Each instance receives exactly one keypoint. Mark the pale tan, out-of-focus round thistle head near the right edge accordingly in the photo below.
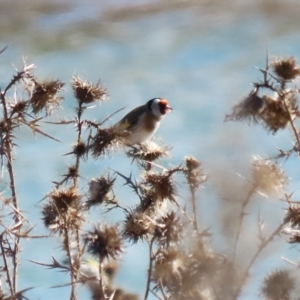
(268, 177)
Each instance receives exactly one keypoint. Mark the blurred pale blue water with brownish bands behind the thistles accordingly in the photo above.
(200, 55)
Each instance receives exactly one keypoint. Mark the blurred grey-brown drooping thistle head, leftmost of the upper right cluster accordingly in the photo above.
(248, 109)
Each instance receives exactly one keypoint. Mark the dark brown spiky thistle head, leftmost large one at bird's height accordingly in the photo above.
(45, 96)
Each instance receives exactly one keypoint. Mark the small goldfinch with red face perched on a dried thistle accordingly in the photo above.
(143, 121)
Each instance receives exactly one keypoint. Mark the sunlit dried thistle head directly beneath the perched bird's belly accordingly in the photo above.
(148, 151)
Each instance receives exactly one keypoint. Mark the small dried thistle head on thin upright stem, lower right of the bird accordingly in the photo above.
(193, 172)
